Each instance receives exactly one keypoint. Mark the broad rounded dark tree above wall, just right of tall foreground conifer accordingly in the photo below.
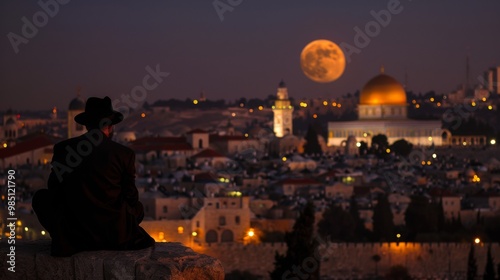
(336, 224)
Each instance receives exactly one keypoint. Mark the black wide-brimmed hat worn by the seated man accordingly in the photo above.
(99, 110)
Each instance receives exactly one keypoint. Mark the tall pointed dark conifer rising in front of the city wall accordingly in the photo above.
(301, 258)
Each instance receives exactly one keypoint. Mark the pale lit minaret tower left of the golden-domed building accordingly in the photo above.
(282, 110)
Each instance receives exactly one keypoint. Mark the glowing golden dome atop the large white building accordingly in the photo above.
(383, 90)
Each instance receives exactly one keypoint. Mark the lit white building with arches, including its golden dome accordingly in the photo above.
(382, 109)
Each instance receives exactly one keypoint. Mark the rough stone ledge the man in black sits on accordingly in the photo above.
(164, 261)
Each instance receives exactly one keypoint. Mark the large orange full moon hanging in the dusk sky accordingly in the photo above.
(322, 61)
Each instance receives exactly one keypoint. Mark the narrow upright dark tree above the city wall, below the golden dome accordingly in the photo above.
(383, 223)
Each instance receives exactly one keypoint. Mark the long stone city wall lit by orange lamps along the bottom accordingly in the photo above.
(354, 260)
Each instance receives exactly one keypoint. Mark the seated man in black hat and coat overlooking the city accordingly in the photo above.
(92, 202)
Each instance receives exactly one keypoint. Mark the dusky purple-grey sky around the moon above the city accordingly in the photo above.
(105, 47)
